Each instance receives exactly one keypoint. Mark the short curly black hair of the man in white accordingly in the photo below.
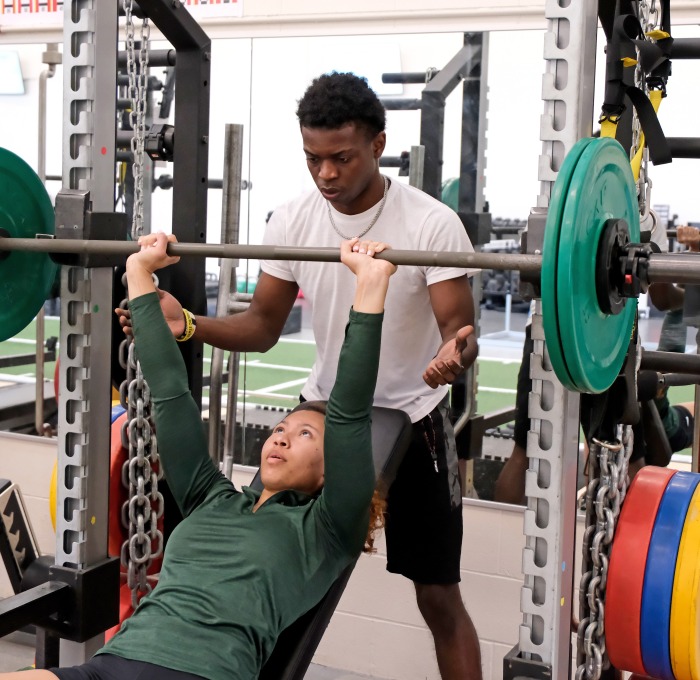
(337, 99)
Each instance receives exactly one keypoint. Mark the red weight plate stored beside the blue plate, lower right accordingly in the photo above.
(623, 600)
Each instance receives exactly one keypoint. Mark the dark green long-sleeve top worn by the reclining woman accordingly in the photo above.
(232, 579)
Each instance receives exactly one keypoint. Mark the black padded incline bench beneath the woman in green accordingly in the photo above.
(391, 435)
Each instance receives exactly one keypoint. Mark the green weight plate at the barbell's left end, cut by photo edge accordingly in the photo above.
(25, 278)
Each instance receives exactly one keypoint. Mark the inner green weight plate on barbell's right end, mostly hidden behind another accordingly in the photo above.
(550, 249)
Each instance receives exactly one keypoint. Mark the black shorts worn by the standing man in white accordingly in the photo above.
(424, 506)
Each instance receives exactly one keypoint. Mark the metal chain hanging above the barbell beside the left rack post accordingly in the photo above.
(138, 77)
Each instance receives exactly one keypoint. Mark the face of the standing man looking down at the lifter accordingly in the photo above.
(343, 162)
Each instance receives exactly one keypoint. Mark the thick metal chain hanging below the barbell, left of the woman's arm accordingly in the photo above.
(140, 475)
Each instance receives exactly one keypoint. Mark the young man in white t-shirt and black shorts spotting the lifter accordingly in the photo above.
(423, 349)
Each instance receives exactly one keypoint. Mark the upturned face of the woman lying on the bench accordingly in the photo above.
(292, 456)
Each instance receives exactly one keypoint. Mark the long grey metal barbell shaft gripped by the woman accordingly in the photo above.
(524, 263)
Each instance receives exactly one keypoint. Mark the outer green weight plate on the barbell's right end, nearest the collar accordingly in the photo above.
(595, 344)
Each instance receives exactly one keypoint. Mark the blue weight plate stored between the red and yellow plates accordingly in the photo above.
(660, 569)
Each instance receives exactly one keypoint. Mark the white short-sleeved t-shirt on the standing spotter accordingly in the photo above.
(411, 220)
